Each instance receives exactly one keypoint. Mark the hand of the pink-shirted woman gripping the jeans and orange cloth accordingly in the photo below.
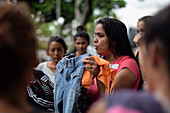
(93, 67)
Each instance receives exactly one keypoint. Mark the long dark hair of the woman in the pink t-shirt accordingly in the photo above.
(117, 34)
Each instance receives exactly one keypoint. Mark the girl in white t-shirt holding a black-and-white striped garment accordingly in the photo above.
(40, 90)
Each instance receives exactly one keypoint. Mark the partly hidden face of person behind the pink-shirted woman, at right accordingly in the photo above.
(140, 28)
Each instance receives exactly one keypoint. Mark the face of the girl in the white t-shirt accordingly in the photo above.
(56, 51)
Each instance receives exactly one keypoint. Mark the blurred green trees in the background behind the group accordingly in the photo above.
(74, 12)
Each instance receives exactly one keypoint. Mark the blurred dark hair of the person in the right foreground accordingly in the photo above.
(158, 32)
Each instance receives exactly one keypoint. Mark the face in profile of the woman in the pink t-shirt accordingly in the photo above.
(101, 41)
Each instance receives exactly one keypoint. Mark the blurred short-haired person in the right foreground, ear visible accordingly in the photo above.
(154, 58)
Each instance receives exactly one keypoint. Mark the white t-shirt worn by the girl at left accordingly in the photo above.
(43, 67)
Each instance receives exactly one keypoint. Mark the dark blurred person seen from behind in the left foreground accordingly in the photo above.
(18, 57)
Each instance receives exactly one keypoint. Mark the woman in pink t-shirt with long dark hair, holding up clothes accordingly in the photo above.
(111, 41)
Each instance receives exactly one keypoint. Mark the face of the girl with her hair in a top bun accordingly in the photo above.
(81, 45)
